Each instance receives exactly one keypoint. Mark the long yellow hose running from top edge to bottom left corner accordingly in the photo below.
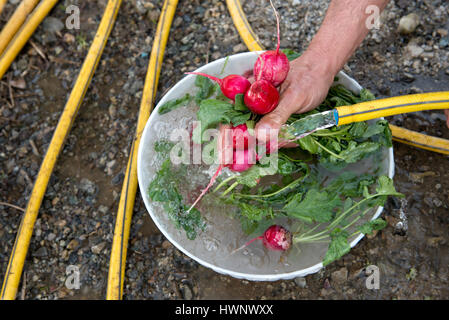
(20, 248)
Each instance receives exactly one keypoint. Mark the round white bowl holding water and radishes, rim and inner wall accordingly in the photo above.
(211, 248)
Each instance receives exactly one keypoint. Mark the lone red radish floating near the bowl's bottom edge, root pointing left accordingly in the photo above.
(275, 238)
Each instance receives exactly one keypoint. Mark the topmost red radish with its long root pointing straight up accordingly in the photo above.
(272, 65)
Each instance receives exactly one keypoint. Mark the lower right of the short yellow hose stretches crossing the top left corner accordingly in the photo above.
(24, 33)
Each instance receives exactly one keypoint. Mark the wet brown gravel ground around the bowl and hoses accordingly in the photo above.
(75, 224)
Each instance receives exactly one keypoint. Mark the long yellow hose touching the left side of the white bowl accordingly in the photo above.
(129, 188)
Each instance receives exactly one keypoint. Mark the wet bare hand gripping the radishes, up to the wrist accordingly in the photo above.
(305, 87)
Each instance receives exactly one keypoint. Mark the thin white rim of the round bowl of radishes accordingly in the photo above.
(345, 80)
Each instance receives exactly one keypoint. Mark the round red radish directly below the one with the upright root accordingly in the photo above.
(262, 97)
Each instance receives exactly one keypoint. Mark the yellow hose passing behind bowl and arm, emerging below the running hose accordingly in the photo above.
(399, 134)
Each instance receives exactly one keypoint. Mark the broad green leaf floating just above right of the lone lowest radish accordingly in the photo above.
(315, 207)
